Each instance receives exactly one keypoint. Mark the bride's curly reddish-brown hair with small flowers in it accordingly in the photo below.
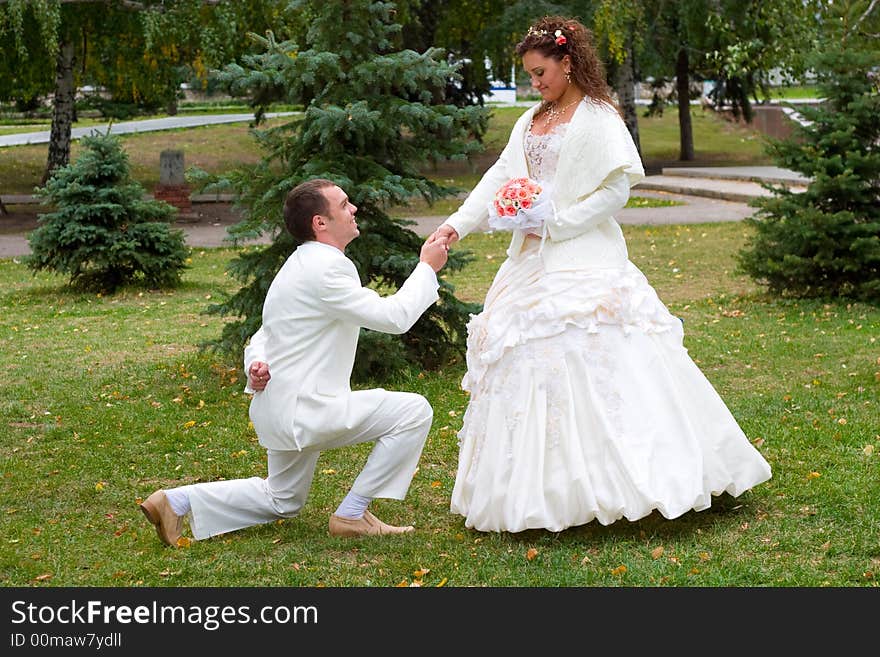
(587, 70)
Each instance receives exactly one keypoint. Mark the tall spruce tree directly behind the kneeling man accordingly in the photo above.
(374, 117)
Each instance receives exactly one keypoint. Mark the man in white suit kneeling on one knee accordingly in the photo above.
(312, 315)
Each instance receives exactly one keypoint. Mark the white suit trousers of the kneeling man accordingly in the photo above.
(399, 425)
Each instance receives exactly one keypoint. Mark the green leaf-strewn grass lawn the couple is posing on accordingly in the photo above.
(106, 398)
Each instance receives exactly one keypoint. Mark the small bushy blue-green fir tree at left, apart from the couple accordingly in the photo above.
(103, 233)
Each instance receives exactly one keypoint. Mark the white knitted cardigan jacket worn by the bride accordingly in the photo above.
(596, 150)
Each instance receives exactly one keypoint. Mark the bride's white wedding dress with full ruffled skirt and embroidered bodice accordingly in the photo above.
(584, 403)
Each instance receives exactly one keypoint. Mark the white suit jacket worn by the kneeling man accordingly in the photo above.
(313, 312)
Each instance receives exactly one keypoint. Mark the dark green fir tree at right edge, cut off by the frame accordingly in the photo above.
(825, 241)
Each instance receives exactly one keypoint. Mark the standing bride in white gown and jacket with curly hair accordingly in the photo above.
(584, 404)
